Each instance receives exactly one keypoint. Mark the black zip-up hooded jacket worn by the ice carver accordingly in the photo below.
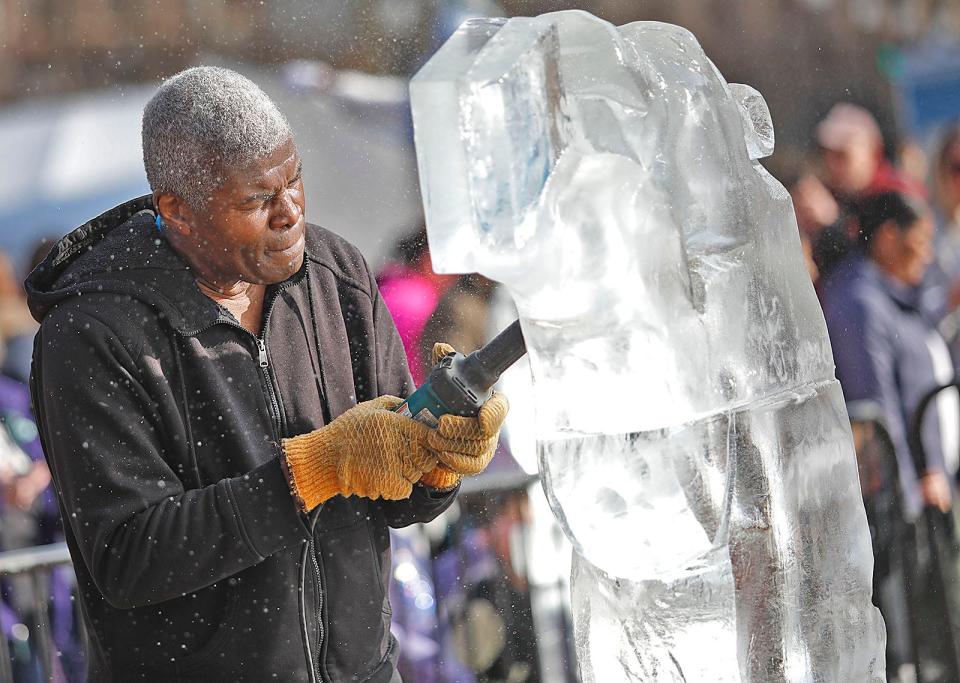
(161, 419)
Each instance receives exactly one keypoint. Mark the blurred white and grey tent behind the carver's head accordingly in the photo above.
(70, 158)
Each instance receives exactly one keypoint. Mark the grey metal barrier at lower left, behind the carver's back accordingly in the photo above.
(37, 562)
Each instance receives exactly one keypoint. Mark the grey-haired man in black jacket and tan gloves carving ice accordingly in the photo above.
(214, 381)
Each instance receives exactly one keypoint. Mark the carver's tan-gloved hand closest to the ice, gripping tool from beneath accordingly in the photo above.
(464, 445)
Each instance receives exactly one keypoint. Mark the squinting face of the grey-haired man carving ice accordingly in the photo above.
(252, 229)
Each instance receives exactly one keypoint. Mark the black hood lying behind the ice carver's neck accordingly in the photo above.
(121, 252)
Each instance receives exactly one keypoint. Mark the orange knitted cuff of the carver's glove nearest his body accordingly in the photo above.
(311, 474)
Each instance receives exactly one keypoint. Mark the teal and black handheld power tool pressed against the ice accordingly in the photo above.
(459, 385)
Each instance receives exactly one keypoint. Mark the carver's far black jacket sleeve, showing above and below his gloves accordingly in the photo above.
(393, 377)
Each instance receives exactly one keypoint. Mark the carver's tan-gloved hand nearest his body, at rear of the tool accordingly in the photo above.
(368, 451)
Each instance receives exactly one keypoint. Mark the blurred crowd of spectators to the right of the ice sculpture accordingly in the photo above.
(881, 235)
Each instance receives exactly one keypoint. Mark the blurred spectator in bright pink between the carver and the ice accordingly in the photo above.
(412, 291)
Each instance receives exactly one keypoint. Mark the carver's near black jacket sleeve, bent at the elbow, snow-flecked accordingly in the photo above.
(143, 538)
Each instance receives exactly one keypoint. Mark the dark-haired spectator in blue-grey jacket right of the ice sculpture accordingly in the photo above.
(886, 350)
